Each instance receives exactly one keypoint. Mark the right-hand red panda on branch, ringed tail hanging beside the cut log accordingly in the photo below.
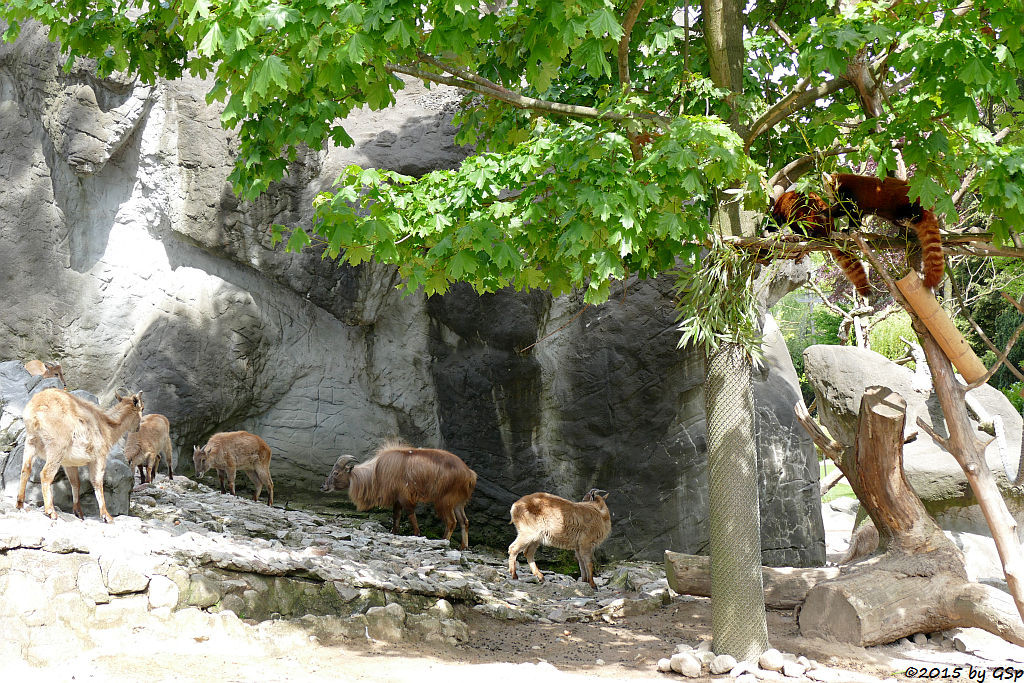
(857, 196)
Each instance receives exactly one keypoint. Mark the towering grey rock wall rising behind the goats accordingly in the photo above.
(129, 259)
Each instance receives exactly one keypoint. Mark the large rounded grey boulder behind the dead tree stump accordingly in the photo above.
(840, 375)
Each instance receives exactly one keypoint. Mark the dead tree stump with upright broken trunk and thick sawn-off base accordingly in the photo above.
(919, 582)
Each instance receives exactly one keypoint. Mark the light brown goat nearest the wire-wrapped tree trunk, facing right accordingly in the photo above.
(551, 521)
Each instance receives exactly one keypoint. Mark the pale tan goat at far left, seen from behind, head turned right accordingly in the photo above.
(70, 433)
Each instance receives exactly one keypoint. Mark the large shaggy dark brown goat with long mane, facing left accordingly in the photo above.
(400, 477)
